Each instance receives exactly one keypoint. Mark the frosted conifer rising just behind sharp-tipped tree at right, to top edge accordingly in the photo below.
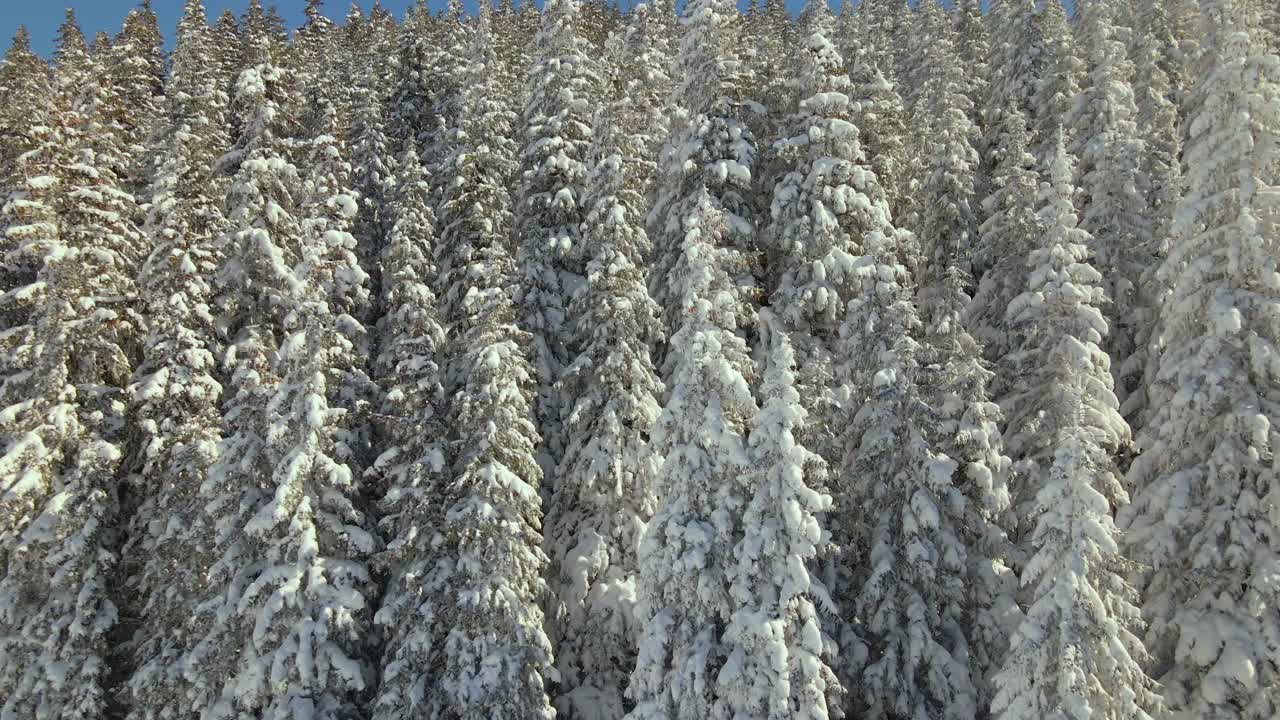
(1114, 192)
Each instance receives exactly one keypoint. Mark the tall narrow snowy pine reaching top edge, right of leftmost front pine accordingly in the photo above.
(175, 404)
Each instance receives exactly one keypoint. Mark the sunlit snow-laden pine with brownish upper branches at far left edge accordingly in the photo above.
(61, 454)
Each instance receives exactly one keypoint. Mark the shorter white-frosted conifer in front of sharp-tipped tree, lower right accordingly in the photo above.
(1077, 654)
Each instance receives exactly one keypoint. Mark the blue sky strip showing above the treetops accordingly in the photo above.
(43, 17)
